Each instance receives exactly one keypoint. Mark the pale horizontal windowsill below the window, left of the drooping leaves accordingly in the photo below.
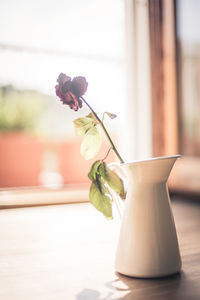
(32, 196)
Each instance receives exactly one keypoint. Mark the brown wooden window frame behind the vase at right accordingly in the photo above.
(185, 177)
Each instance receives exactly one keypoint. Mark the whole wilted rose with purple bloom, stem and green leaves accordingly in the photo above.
(70, 92)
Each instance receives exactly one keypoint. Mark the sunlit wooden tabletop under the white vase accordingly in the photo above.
(66, 252)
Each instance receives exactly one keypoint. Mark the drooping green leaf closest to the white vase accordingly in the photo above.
(112, 179)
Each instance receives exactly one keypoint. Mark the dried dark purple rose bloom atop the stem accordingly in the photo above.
(70, 91)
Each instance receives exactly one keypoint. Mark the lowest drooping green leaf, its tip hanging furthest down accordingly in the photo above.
(100, 200)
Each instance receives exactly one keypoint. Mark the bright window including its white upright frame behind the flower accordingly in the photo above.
(105, 41)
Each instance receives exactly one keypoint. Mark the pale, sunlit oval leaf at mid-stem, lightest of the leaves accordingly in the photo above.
(91, 143)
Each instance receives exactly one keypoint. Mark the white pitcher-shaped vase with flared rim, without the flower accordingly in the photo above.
(148, 245)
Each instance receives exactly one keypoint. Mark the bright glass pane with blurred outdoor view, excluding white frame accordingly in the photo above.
(39, 40)
